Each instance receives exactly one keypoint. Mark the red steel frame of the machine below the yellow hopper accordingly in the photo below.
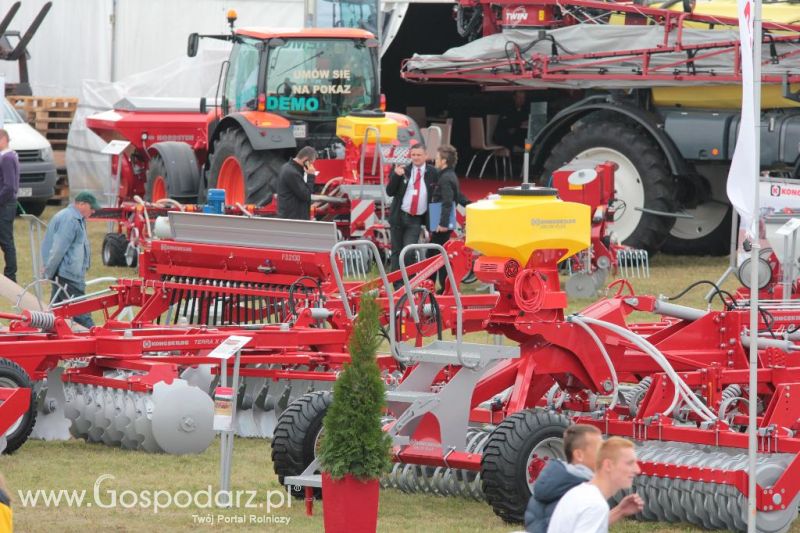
(707, 353)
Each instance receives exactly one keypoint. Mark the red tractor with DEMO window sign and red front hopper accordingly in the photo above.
(278, 91)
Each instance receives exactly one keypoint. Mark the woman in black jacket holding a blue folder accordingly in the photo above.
(446, 193)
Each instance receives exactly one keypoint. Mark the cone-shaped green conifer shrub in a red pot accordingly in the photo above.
(355, 451)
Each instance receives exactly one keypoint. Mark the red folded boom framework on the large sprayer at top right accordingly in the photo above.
(556, 68)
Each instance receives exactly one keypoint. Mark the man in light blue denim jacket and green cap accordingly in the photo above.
(66, 251)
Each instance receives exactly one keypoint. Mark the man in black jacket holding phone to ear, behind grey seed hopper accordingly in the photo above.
(296, 184)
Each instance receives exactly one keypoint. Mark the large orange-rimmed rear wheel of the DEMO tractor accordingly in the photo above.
(249, 176)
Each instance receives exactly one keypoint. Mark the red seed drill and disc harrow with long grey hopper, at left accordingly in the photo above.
(144, 379)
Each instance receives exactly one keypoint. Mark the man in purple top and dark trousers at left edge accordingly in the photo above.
(9, 185)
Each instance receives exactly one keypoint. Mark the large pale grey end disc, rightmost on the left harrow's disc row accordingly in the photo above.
(183, 418)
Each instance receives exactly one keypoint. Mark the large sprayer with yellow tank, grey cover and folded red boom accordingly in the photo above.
(653, 86)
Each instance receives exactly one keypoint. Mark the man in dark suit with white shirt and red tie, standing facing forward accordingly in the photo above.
(411, 188)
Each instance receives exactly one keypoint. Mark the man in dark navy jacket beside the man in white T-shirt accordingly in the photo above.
(581, 445)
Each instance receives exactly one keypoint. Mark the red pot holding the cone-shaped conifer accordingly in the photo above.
(349, 505)
